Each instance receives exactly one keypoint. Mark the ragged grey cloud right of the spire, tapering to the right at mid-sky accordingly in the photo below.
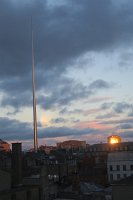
(67, 93)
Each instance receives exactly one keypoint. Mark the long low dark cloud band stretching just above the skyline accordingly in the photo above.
(16, 130)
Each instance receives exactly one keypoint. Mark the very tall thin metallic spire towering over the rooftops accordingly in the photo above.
(34, 96)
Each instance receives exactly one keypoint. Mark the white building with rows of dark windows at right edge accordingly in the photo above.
(119, 165)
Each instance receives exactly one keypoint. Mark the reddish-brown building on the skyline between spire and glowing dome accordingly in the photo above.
(72, 144)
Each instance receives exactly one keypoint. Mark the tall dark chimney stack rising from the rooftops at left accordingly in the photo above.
(16, 165)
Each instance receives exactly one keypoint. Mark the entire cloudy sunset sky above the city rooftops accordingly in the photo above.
(83, 70)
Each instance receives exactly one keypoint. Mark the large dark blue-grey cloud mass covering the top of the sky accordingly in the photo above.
(62, 33)
